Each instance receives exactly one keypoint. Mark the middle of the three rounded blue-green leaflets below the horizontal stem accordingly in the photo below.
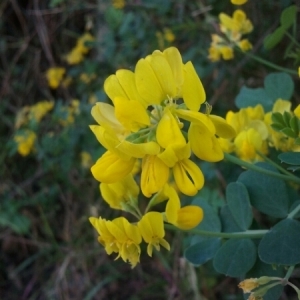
(235, 258)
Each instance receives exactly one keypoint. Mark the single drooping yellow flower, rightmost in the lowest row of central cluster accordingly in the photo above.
(151, 227)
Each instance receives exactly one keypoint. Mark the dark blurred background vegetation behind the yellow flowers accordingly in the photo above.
(48, 248)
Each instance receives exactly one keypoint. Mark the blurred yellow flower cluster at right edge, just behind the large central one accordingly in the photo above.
(255, 134)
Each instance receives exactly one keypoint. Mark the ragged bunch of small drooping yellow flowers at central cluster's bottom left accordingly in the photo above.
(119, 236)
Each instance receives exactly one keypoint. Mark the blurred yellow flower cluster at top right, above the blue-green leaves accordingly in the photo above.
(233, 29)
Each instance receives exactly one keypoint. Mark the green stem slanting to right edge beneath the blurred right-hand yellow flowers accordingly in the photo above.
(253, 167)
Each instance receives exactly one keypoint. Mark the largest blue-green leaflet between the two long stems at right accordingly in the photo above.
(268, 194)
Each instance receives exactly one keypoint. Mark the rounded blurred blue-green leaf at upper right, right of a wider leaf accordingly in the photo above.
(279, 85)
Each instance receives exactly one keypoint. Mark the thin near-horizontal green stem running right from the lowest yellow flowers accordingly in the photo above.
(250, 234)
